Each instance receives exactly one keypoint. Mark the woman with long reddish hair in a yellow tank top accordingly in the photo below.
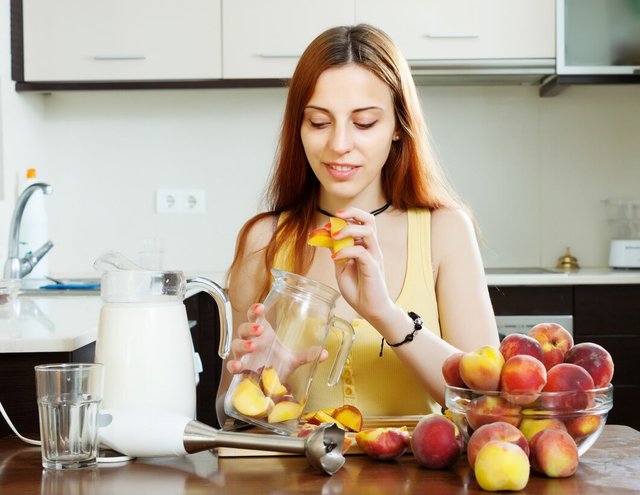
(354, 145)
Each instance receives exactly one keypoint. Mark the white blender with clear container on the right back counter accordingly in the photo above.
(624, 219)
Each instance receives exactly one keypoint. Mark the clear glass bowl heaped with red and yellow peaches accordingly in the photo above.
(563, 388)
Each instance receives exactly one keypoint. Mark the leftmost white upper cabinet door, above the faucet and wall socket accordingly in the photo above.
(92, 40)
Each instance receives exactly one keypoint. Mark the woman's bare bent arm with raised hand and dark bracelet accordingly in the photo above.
(466, 316)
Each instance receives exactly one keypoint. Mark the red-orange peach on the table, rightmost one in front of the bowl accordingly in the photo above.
(554, 453)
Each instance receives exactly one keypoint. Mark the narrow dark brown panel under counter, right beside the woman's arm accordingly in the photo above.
(532, 300)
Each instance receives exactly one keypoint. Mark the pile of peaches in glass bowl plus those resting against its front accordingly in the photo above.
(527, 403)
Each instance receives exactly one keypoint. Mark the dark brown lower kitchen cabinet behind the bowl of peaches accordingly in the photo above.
(607, 314)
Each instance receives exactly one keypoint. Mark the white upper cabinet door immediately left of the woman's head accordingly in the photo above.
(265, 38)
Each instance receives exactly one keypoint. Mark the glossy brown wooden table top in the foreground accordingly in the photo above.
(611, 466)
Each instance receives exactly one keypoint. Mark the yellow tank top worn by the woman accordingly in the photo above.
(383, 386)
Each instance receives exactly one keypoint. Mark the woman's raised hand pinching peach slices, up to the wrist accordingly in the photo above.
(360, 275)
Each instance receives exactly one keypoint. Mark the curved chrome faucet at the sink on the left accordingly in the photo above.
(16, 267)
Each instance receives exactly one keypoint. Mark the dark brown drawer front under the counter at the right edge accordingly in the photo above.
(607, 310)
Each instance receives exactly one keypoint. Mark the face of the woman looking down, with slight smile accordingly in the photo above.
(347, 131)
